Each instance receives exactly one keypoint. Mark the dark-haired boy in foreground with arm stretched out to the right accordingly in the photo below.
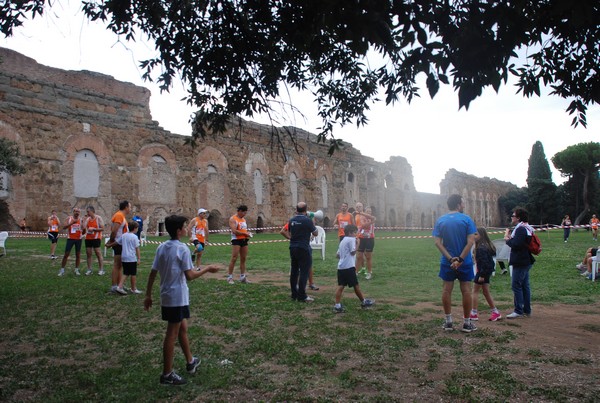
(173, 263)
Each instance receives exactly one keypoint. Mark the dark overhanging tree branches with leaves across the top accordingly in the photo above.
(242, 56)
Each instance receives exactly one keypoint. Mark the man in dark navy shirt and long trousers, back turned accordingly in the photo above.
(300, 227)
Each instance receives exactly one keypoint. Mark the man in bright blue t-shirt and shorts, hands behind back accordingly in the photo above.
(454, 235)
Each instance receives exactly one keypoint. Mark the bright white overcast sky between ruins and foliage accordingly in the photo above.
(492, 139)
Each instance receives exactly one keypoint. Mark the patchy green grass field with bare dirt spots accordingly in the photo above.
(65, 339)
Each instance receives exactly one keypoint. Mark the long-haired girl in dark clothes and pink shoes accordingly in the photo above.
(484, 257)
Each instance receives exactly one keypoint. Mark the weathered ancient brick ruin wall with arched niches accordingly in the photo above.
(70, 123)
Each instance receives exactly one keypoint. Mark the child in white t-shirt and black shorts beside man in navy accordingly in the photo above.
(346, 272)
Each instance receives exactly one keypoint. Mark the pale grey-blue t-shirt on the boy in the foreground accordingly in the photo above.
(172, 260)
